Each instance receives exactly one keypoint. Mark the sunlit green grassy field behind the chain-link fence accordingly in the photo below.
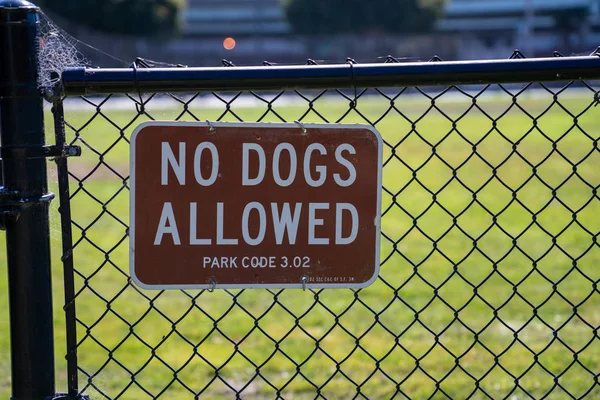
(489, 274)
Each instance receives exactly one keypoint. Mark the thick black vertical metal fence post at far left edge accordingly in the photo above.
(26, 192)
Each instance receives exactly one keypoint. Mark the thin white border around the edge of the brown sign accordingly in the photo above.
(216, 125)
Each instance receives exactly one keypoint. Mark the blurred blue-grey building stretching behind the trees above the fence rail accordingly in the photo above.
(468, 29)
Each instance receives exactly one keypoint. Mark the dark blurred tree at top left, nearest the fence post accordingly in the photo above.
(128, 17)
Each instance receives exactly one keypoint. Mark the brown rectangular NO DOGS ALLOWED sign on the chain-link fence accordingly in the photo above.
(248, 205)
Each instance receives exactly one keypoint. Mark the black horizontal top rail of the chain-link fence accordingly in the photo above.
(85, 81)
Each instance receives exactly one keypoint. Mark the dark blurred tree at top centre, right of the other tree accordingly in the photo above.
(318, 17)
